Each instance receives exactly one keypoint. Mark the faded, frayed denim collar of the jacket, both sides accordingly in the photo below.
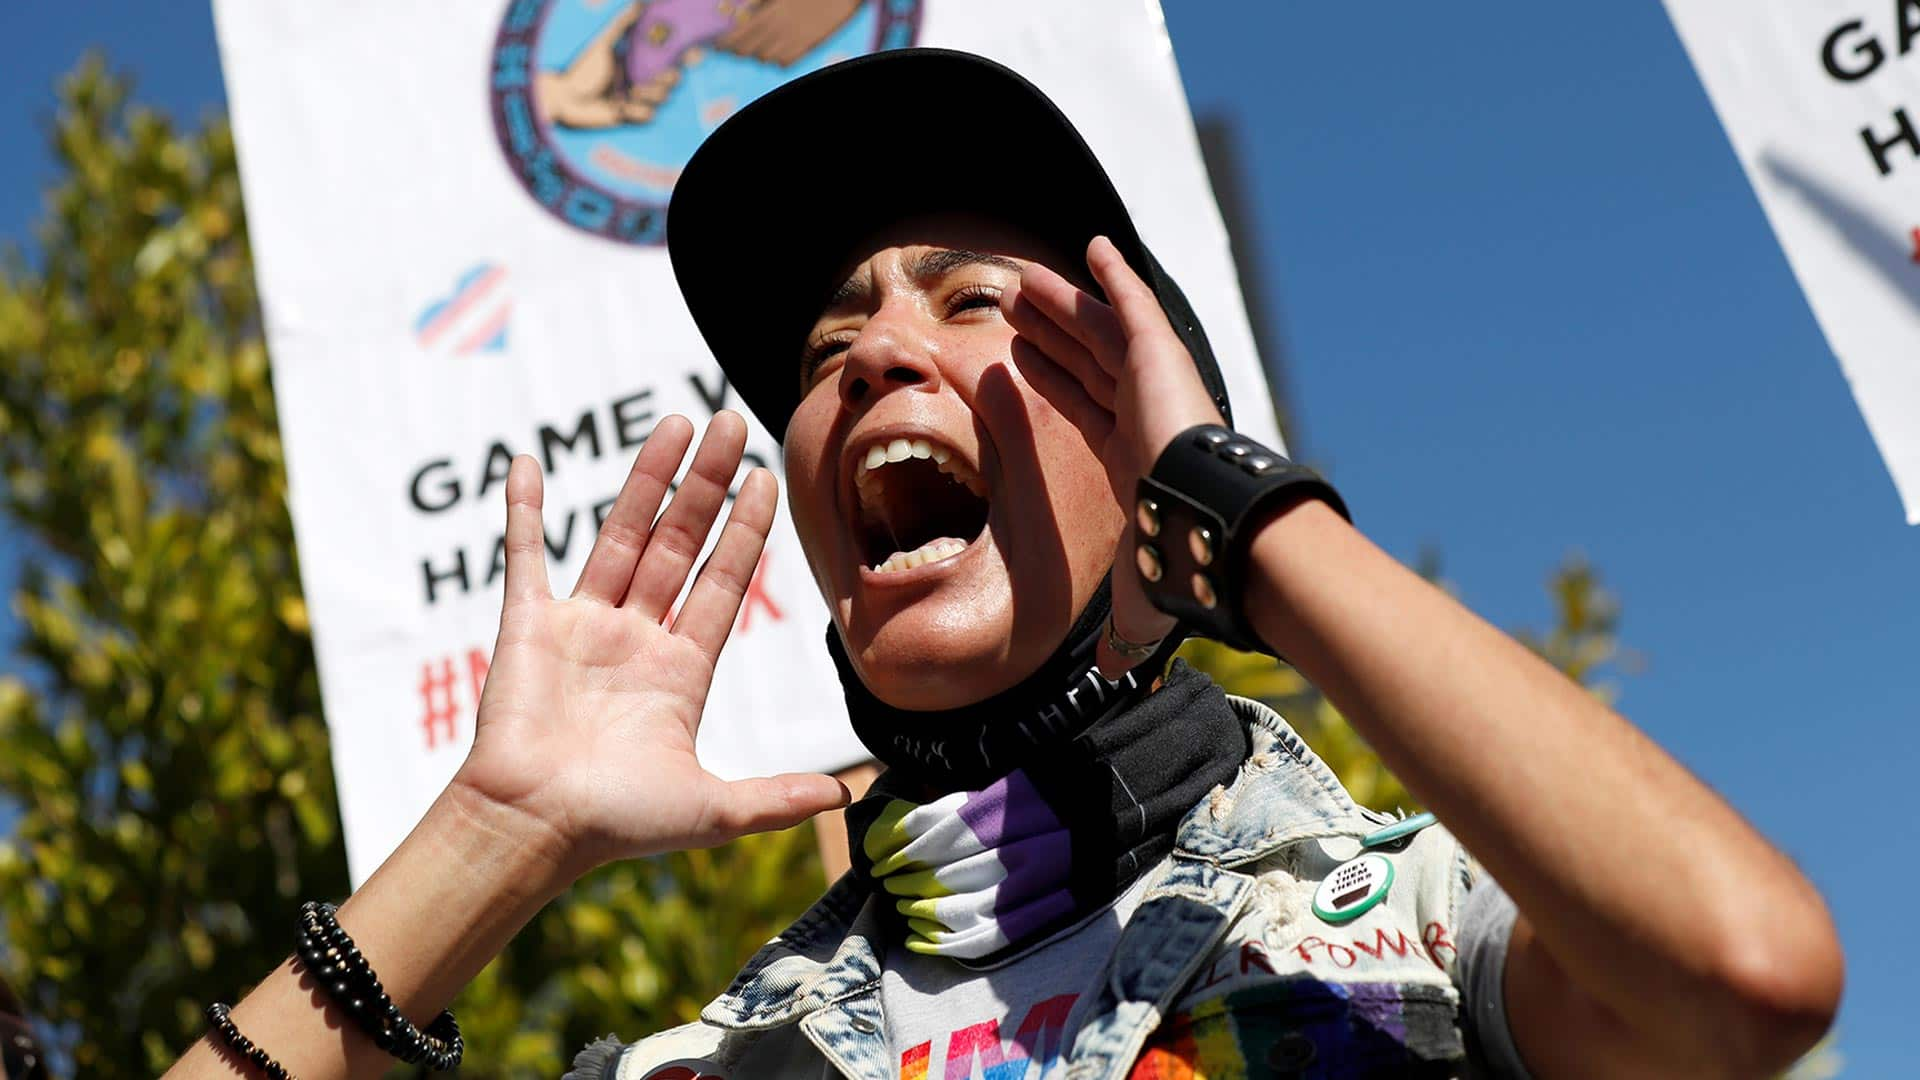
(1284, 795)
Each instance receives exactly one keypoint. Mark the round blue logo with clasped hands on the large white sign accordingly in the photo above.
(598, 105)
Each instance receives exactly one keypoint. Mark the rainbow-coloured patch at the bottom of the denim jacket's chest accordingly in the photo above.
(1308, 1029)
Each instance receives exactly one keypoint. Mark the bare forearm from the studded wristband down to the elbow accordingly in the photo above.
(1648, 891)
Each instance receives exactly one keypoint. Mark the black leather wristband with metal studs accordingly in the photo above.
(1191, 518)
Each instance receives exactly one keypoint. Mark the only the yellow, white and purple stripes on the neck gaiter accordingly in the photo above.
(974, 871)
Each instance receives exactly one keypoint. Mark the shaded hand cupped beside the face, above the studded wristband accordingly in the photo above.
(1126, 381)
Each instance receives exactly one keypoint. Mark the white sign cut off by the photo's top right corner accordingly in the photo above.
(1823, 105)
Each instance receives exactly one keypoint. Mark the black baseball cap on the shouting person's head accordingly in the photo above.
(763, 189)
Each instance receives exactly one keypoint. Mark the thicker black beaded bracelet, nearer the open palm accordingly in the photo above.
(348, 979)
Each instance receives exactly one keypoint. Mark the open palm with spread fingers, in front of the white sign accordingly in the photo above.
(592, 702)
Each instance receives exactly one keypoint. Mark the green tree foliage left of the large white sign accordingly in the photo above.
(166, 749)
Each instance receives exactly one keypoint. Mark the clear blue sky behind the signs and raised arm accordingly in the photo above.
(1531, 308)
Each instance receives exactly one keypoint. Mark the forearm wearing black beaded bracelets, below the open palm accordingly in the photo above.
(450, 898)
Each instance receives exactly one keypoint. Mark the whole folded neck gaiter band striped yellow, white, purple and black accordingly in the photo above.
(996, 866)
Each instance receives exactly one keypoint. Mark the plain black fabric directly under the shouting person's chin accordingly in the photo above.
(972, 747)
